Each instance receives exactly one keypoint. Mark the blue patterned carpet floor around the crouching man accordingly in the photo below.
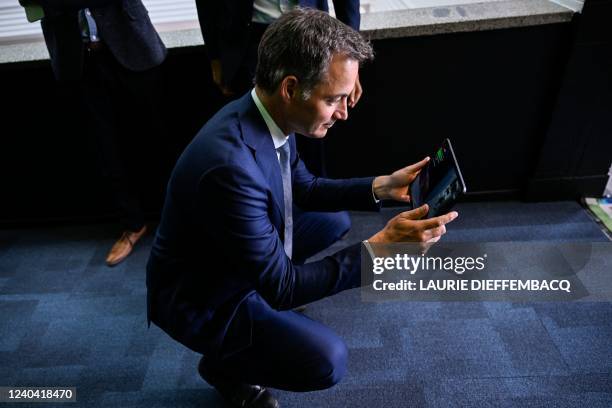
(68, 320)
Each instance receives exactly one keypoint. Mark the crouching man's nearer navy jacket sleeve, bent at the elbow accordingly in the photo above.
(235, 209)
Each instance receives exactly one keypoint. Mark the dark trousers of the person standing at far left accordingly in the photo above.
(124, 121)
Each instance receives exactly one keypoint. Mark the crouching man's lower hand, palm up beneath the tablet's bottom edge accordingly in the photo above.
(410, 227)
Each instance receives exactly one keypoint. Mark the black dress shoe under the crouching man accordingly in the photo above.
(240, 394)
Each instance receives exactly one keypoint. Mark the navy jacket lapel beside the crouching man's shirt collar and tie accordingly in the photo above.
(257, 136)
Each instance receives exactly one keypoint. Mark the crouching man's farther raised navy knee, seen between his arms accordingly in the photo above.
(316, 231)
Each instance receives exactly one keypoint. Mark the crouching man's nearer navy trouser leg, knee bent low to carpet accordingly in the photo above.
(288, 351)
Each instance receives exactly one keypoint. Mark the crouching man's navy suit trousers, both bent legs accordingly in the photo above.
(288, 350)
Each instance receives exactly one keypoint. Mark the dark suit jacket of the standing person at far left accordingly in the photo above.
(123, 25)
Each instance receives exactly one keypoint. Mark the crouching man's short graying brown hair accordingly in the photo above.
(302, 43)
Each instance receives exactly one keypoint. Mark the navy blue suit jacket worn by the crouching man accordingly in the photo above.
(221, 233)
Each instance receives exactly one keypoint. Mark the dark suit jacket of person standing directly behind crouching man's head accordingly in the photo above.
(225, 26)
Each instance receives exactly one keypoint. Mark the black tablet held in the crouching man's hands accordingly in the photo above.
(439, 183)
